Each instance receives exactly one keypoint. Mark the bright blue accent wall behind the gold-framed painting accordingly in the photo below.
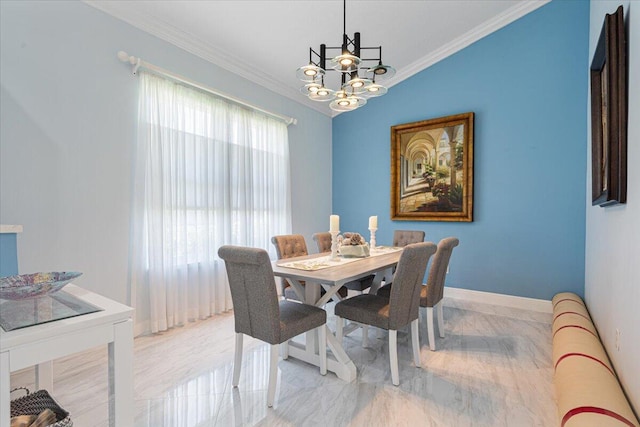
(527, 85)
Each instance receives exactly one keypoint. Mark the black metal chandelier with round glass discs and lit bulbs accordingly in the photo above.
(354, 89)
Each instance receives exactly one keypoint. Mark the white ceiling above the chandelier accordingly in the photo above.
(274, 36)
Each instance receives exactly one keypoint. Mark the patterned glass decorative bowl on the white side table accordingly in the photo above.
(34, 285)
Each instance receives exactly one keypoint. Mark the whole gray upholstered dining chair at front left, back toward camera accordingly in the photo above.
(259, 314)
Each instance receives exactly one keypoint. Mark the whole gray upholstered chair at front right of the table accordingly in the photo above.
(397, 311)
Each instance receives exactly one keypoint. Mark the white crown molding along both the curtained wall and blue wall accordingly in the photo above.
(188, 42)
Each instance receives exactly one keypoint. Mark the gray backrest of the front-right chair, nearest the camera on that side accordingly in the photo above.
(404, 300)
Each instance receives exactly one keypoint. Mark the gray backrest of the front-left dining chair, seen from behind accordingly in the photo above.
(253, 291)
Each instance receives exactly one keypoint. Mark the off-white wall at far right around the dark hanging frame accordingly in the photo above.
(612, 287)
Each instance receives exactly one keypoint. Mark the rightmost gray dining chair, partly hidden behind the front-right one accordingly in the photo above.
(431, 295)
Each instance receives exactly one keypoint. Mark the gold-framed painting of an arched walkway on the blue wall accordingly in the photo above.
(432, 169)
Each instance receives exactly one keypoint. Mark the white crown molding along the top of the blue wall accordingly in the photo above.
(494, 24)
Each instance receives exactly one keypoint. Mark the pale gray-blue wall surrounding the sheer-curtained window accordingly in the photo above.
(68, 126)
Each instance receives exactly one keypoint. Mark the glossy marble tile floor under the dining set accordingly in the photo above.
(493, 368)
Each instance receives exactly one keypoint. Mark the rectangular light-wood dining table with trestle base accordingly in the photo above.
(331, 273)
